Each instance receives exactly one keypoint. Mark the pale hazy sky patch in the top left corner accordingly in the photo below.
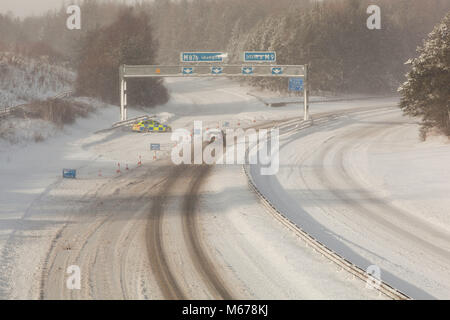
(23, 8)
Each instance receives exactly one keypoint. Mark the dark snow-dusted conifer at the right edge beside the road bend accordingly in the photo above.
(426, 93)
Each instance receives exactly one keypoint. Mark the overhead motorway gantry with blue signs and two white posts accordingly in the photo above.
(209, 64)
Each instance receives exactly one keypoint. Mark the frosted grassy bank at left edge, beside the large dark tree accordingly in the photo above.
(24, 79)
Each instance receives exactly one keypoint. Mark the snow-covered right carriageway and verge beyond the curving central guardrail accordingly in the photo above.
(368, 188)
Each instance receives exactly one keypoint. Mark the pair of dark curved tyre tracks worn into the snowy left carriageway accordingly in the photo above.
(159, 250)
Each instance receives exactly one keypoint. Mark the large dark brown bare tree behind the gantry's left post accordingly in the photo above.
(129, 40)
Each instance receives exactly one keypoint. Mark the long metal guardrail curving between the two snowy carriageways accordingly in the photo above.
(316, 245)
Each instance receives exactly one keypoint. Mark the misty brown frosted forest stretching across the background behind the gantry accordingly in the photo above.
(331, 36)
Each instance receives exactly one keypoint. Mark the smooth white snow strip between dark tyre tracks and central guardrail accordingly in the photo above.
(261, 257)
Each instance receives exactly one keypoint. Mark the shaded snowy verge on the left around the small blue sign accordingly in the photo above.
(35, 201)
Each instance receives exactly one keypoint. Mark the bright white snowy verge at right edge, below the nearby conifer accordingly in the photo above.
(412, 174)
